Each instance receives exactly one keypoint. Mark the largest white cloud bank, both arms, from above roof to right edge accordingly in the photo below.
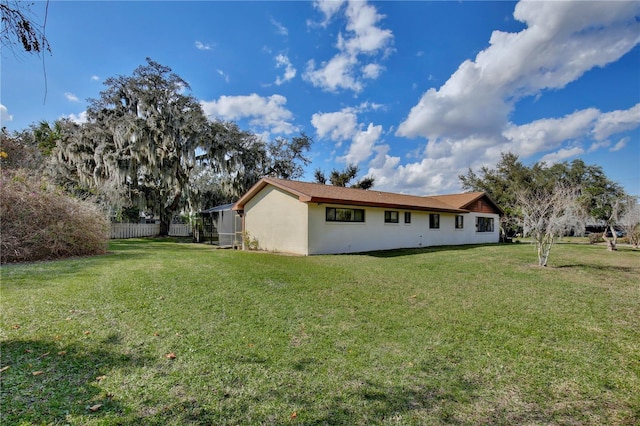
(466, 121)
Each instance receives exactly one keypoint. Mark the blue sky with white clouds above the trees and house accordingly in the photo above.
(412, 92)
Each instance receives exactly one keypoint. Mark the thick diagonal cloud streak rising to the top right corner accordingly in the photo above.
(563, 40)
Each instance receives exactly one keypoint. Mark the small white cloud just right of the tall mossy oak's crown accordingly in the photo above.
(263, 113)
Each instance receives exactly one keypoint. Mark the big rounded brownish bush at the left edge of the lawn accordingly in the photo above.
(40, 222)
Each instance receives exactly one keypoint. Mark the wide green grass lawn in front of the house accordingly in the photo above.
(453, 335)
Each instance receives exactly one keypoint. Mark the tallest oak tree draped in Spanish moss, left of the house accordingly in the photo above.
(139, 143)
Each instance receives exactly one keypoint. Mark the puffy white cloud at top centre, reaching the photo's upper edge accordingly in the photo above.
(363, 37)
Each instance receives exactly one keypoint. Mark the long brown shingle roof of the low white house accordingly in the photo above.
(319, 193)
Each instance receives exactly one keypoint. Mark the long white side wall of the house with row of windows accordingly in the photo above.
(374, 234)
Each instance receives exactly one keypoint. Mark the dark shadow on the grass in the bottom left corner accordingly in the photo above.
(46, 382)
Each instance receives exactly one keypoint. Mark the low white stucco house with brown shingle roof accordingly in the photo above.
(311, 218)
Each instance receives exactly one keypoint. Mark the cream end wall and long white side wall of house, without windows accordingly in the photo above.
(280, 222)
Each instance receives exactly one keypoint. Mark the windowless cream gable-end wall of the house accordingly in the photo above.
(277, 220)
